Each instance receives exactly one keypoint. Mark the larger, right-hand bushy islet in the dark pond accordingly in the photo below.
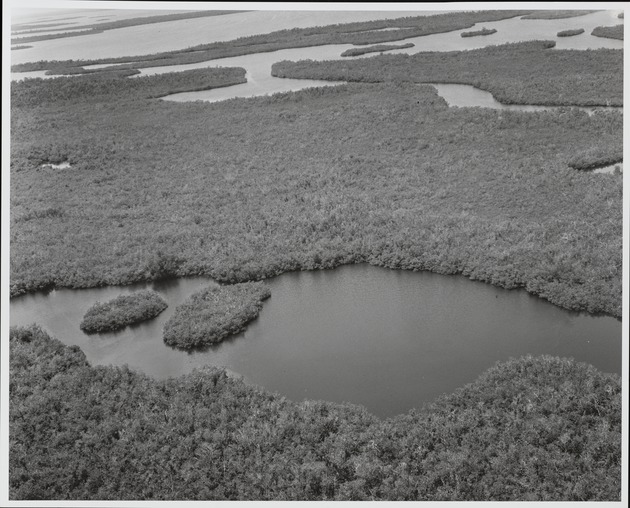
(214, 313)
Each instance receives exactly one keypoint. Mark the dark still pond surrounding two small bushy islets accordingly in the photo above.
(390, 340)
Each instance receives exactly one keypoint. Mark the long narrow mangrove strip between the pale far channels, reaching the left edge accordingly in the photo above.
(360, 33)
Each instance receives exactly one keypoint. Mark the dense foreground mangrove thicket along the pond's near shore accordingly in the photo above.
(530, 429)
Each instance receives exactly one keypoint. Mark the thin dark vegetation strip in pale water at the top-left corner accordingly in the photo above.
(98, 28)
